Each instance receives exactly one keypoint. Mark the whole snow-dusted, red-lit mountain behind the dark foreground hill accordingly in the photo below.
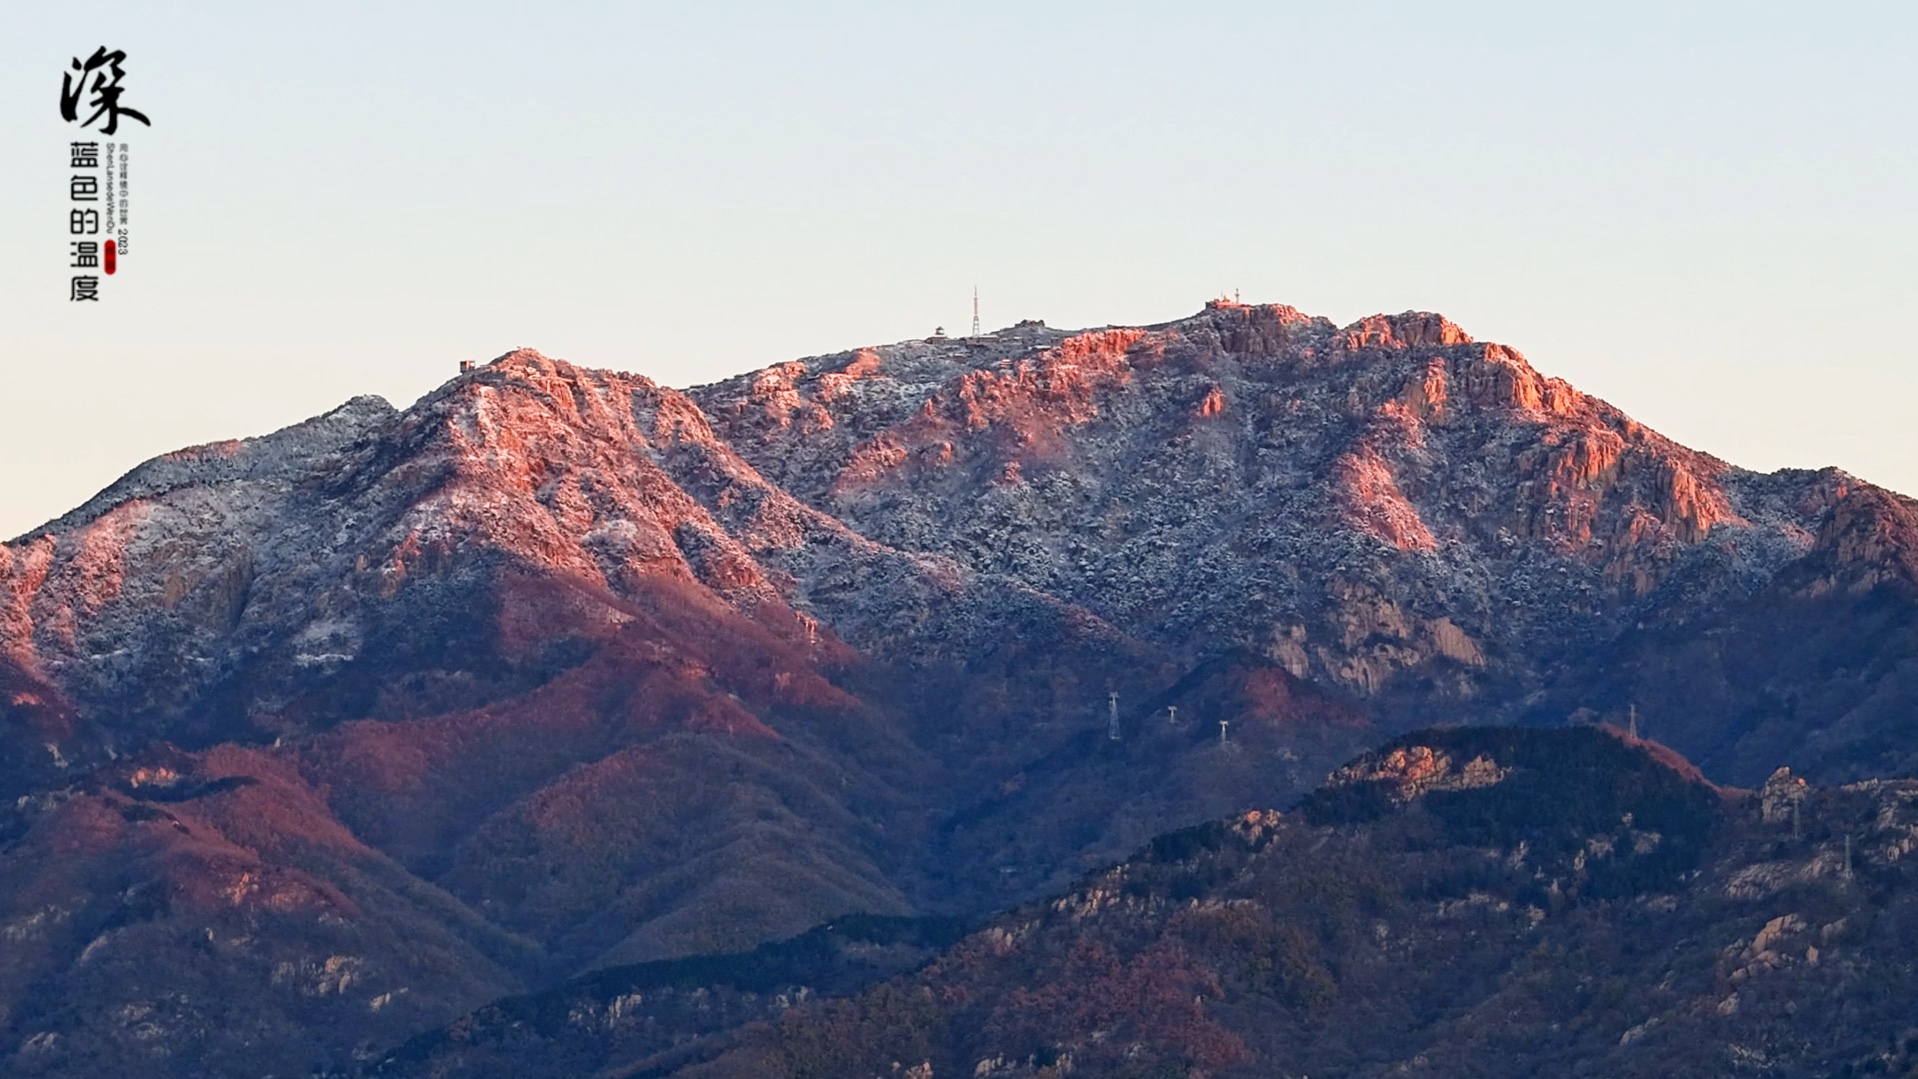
(402, 710)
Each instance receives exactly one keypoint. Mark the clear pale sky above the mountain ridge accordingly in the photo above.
(1698, 212)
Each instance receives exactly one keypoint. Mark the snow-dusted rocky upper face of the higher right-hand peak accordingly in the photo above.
(1368, 507)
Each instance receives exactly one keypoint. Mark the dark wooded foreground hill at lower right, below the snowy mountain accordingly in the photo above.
(1462, 902)
